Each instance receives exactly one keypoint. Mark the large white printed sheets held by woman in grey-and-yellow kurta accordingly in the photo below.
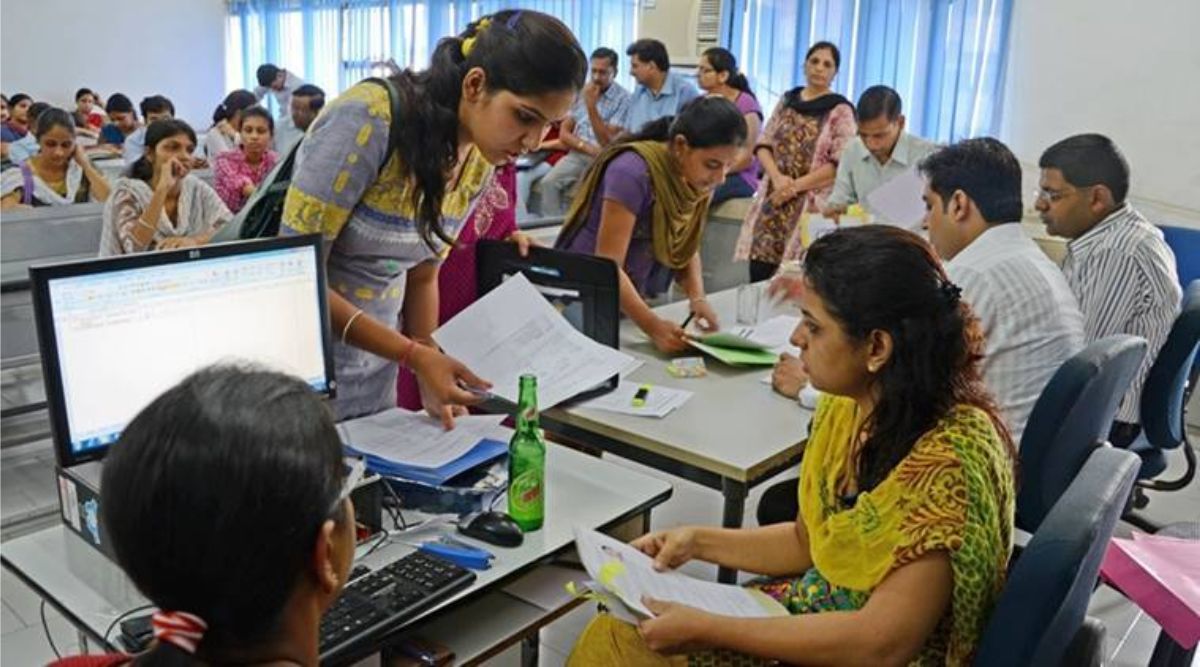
(514, 331)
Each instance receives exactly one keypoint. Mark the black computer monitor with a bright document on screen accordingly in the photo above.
(117, 333)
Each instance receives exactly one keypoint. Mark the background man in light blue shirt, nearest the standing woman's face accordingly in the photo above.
(602, 103)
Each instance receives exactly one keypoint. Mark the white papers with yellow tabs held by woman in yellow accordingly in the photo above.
(625, 575)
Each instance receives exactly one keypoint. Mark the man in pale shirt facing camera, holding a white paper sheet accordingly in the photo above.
(881, 152)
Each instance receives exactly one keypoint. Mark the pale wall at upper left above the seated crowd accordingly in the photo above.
(49, 49)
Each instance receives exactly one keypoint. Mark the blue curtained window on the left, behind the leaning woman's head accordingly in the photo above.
(335, 44)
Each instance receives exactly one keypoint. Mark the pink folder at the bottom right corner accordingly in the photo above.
(1162, 576)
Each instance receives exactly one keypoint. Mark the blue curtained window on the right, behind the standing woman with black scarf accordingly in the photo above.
(946, 58)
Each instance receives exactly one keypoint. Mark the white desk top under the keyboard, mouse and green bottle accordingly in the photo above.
(92, 592)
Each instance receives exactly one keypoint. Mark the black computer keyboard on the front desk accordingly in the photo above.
(376, 603)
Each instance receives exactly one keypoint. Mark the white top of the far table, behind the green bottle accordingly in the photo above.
(735, 425)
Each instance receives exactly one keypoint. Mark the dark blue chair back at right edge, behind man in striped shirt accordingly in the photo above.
(1167, 388)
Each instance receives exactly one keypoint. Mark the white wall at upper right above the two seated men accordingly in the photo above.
(1125, 69)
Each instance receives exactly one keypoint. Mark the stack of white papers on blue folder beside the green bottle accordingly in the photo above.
(412, 446)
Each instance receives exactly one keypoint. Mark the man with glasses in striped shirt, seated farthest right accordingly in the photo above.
(1118, 263)
